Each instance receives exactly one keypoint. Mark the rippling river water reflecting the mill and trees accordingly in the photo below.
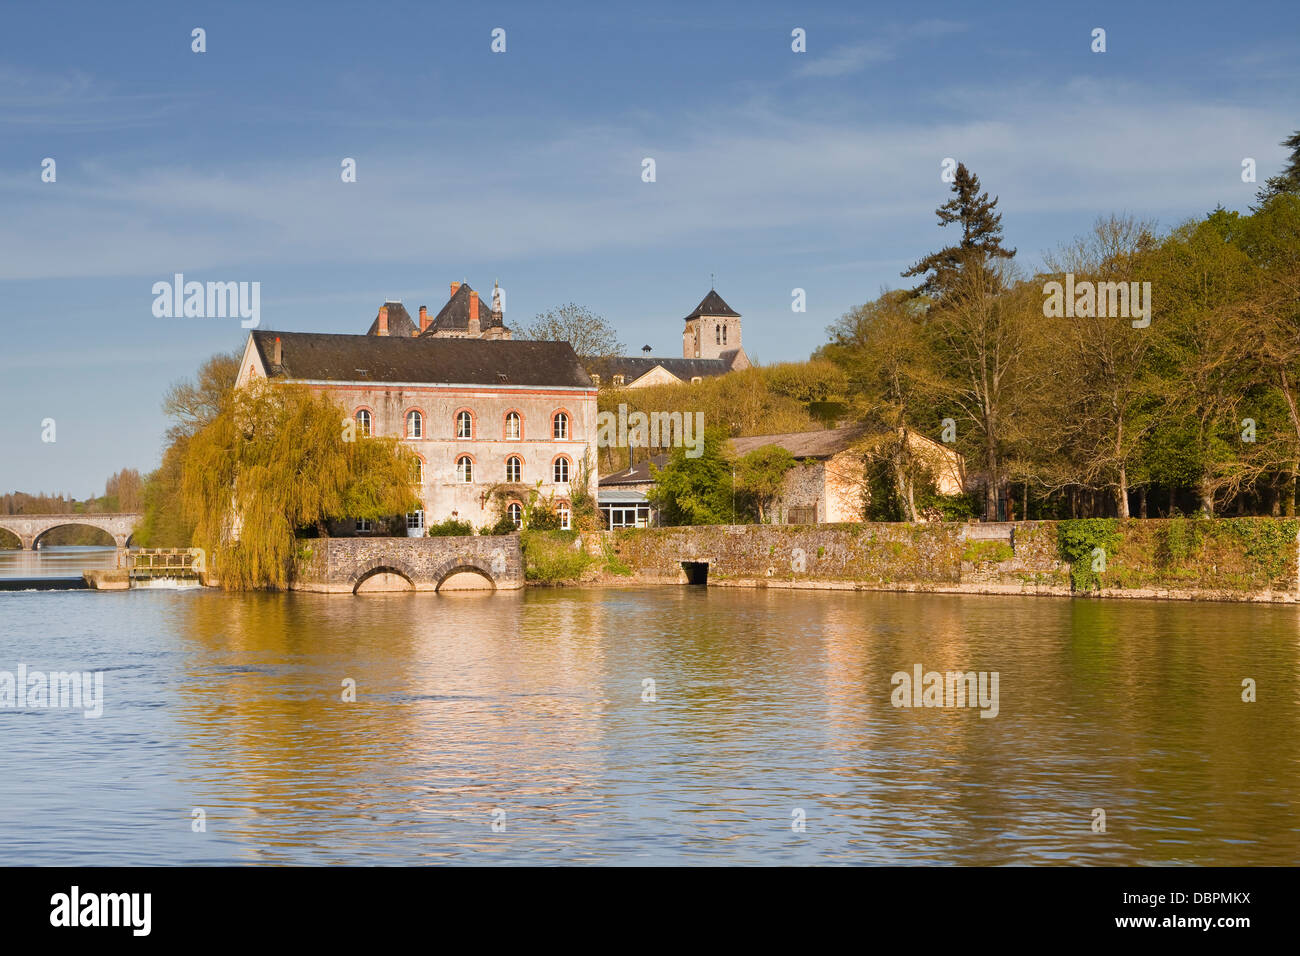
(531, 712)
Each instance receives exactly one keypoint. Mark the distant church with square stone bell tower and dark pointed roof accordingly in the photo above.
(710, 347)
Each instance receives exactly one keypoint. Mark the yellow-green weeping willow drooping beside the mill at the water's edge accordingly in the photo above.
(274, 461)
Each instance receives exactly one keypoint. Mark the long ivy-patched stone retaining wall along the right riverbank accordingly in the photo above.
(1236, 560)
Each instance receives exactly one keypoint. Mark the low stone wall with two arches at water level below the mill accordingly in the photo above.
(361, 565)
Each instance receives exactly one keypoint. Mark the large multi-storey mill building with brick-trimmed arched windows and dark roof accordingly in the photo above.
(483, 413)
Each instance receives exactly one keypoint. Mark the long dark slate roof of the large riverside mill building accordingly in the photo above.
(324, 357)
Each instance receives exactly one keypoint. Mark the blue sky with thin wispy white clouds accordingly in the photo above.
(774, 170)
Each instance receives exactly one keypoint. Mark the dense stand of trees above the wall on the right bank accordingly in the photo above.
(1097, 409)
